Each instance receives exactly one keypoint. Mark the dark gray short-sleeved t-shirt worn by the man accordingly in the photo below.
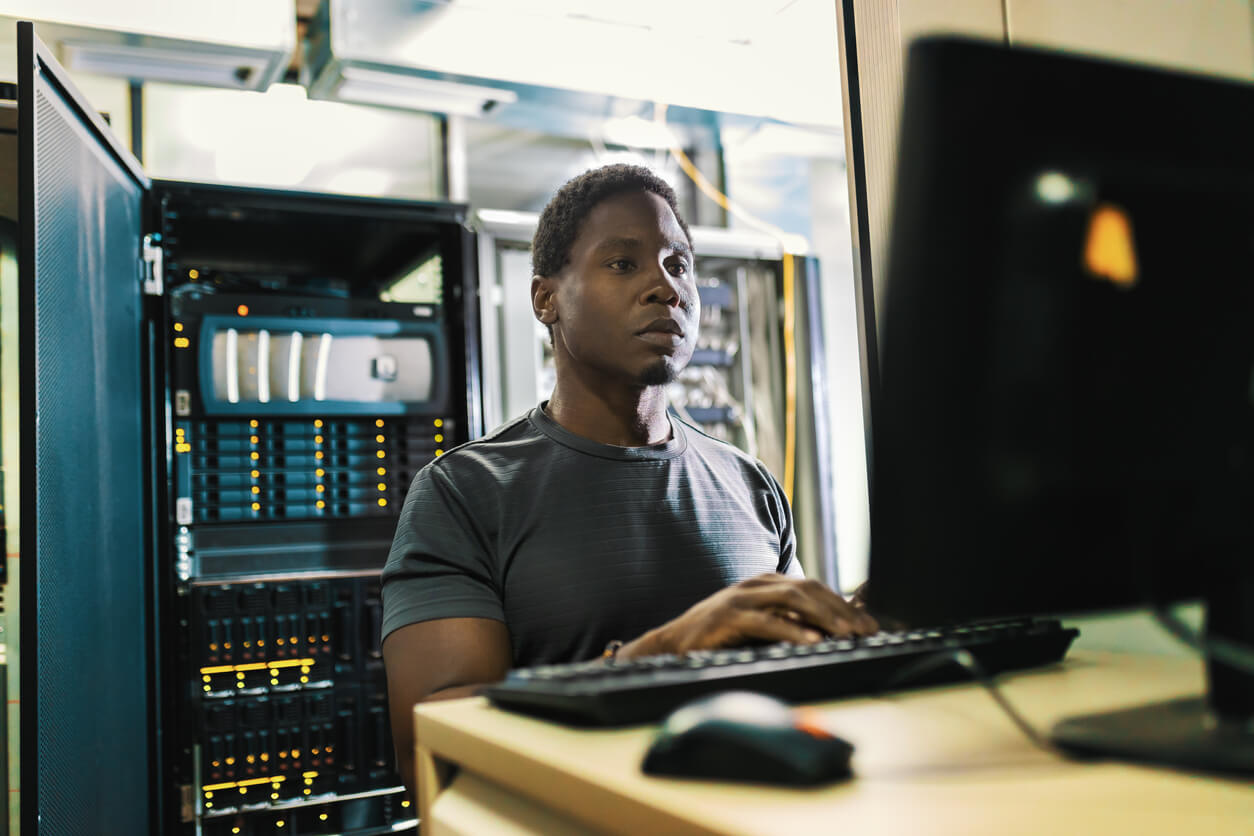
(572, 543)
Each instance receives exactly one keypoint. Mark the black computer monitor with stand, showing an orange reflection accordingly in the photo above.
(1064, 419)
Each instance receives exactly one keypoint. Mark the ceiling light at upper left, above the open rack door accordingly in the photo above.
(191, 66)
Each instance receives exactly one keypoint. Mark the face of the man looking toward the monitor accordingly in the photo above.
(626, 305)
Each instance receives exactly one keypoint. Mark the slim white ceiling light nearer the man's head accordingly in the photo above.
(417, 93)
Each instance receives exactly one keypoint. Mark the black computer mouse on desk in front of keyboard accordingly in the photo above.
(744, 736)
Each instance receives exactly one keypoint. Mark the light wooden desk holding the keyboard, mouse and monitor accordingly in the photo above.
(939, 761)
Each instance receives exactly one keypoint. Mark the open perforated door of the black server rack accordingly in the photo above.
(85, 706)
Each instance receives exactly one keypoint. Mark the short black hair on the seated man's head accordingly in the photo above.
(565, 215)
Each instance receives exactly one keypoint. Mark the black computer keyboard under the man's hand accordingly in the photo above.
(645, 690)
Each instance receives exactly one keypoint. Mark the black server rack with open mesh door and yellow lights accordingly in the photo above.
(224, 397)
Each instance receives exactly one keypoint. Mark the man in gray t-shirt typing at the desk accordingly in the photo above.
(596, 523)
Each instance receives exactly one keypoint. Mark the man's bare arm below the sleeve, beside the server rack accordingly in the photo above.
(438, 660)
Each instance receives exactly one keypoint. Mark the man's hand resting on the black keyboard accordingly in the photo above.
(767, 609)
